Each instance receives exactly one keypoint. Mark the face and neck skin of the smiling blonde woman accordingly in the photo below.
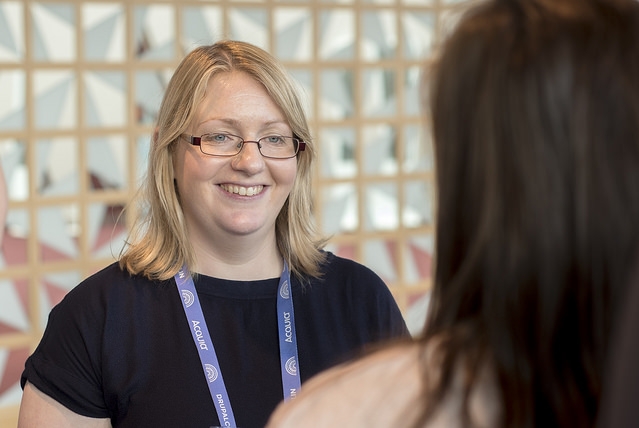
(228, 228)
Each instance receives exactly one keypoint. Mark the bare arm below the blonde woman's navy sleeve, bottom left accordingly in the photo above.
(39, 410)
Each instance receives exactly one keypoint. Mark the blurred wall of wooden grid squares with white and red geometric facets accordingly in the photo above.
(80, 85)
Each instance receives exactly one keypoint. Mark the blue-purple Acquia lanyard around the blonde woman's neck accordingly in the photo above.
(200, 332)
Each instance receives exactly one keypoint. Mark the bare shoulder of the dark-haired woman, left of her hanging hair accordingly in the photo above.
(356, 393)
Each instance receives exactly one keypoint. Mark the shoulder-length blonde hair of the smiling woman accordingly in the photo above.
(158, 244)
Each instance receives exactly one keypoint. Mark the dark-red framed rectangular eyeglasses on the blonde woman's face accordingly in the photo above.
(271, 146)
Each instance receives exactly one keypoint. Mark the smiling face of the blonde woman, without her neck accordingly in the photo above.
(239, 195)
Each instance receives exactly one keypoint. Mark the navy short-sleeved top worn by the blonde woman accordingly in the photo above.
(119, 346)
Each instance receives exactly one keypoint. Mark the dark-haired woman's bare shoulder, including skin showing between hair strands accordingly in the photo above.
(386, 388)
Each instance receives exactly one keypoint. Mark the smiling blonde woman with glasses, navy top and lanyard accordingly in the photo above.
(229, 195)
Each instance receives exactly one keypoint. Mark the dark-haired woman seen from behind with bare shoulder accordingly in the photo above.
(535, 109)
